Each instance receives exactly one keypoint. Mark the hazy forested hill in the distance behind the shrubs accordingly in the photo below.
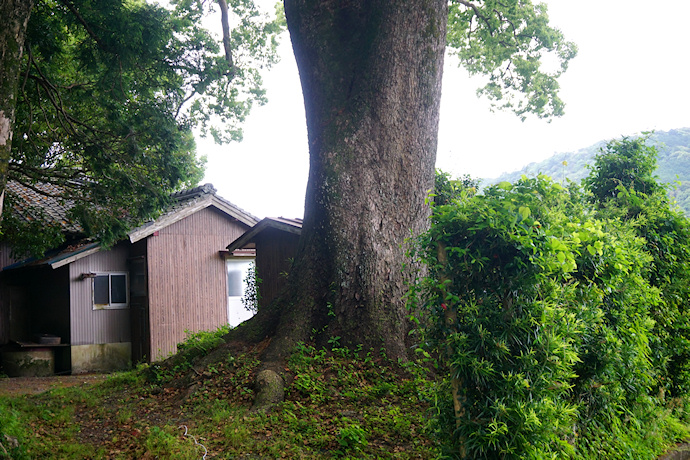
(673, 164)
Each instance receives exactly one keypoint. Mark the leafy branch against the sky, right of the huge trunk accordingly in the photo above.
(513, 44)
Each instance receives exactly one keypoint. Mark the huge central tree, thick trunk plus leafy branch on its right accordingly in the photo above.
(371, 79)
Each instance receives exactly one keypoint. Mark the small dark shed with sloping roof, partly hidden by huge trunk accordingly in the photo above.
(275, 240)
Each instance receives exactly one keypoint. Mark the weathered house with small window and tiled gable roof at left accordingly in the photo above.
(133, 302)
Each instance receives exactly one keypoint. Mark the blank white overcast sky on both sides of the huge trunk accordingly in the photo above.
(632, 74)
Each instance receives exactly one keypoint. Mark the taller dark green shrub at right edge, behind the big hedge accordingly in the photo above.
(622, 184)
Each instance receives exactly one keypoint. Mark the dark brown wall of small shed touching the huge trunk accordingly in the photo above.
(274, 249)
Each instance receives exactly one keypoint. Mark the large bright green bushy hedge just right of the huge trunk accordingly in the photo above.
(541, 317)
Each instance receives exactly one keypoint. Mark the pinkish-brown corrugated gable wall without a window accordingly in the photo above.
(187, 278)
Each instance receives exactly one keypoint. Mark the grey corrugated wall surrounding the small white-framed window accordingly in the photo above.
(91, 326)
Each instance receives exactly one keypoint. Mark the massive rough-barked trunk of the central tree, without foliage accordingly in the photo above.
(371, 77)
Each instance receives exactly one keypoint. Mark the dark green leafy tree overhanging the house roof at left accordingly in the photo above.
(98, 98)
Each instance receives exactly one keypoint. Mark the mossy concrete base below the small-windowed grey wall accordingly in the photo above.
(103, 357)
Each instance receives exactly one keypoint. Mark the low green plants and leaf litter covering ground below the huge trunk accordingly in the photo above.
(340, 404)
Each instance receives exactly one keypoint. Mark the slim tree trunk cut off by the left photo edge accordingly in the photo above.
(14, 17)
